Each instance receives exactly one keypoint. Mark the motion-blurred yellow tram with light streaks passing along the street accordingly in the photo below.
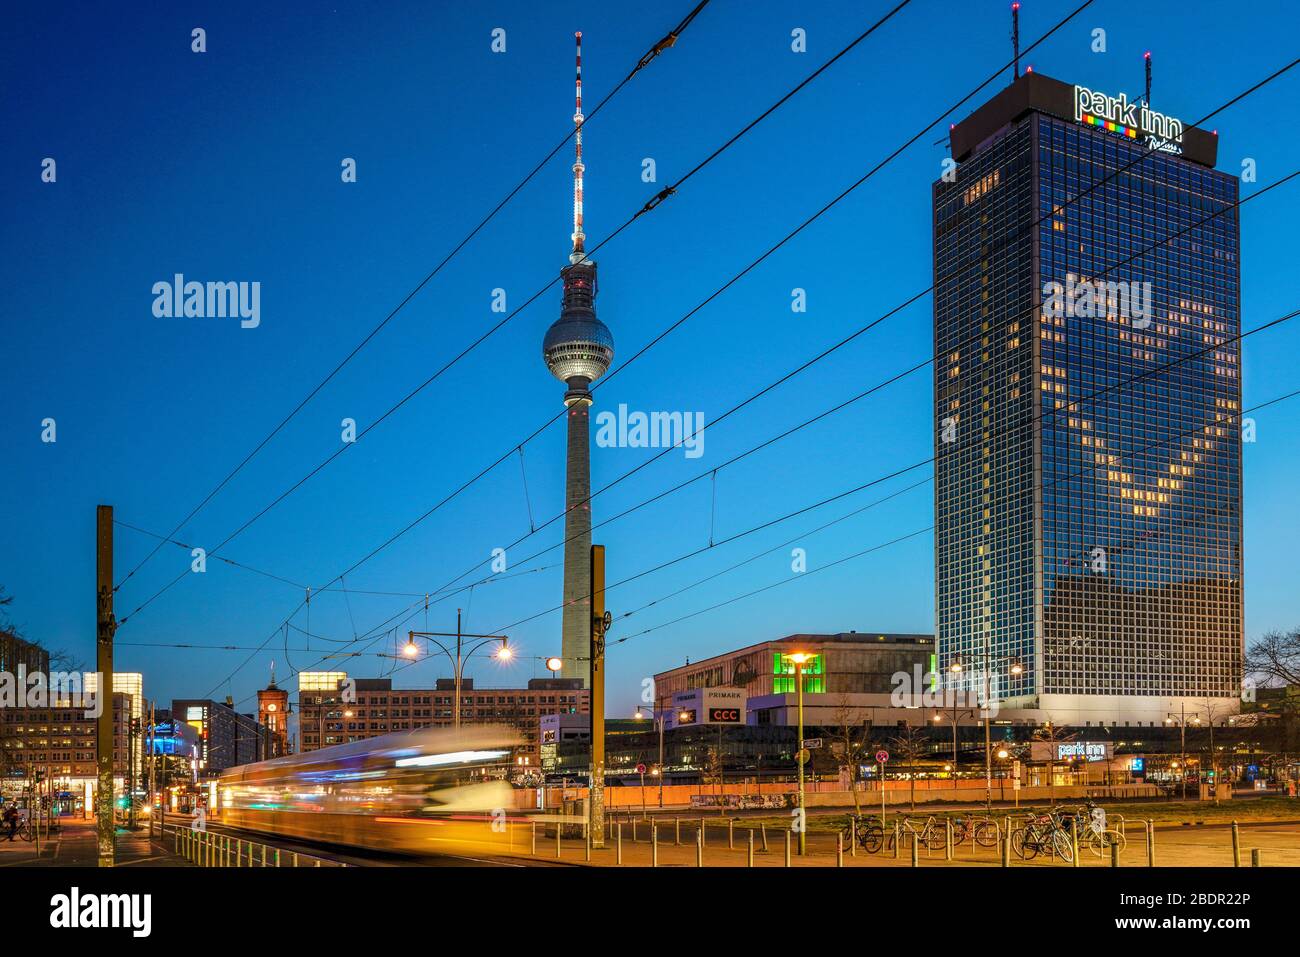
(426, 791)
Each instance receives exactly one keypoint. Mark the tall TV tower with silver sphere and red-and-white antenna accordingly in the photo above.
(578, 350)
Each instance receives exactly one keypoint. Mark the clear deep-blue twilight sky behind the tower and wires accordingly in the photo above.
(226, 166)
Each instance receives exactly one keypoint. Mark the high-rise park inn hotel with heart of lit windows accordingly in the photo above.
(1089, 501)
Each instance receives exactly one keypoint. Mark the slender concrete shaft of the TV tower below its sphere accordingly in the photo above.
(577, 629)
